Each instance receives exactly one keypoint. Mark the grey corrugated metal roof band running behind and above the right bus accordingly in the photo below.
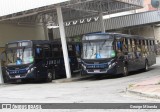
(115, 23)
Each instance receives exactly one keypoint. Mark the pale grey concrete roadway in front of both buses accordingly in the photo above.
(91, 90)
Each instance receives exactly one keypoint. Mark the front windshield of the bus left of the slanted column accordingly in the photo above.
(19, 56)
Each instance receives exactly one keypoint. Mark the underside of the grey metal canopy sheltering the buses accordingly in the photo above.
(72, 10)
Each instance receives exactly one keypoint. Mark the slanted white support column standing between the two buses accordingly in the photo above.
(63, 41)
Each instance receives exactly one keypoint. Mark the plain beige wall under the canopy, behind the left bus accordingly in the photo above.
(13, 32)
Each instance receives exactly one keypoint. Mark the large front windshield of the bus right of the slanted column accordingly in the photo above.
(98, 49)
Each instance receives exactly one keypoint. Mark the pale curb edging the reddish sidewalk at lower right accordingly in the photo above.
(143, 94)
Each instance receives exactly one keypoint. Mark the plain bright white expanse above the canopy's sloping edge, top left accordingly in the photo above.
(14, 6)
